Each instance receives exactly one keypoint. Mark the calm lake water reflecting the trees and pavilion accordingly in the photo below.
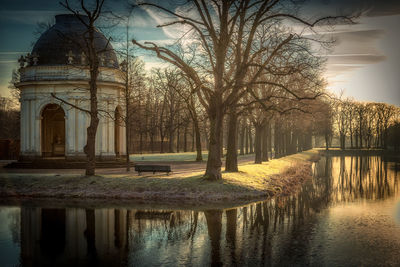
(348, 214)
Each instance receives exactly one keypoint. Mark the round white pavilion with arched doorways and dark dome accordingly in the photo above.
(58, 65)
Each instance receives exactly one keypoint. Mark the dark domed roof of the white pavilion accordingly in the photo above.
(64, 43)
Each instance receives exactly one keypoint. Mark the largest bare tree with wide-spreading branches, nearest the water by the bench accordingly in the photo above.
(226, 33)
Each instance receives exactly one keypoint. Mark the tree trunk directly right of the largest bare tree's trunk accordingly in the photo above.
(231, 153)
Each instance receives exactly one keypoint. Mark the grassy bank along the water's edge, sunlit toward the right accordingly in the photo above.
(252, 182)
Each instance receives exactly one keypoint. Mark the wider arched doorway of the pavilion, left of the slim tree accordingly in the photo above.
(53, 131)
